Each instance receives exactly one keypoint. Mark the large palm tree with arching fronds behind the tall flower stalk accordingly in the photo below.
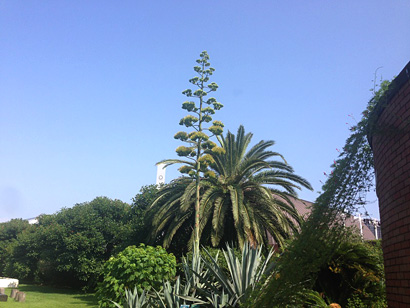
(244, 197)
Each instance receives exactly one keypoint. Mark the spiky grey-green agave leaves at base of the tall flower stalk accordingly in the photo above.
(206, 283)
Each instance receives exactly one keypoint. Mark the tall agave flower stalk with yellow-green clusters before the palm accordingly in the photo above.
(195, 163)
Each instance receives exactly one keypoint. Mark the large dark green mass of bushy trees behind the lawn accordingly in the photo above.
(70, 247)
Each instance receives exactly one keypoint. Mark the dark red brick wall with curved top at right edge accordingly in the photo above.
(391, 147)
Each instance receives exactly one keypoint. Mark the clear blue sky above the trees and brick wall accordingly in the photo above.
(90, 91)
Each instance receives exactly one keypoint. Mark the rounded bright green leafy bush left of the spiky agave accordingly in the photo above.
(144, 267)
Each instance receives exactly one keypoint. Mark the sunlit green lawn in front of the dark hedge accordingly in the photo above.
(48, 297)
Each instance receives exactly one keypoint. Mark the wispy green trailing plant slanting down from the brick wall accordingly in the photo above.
(323, 233)
